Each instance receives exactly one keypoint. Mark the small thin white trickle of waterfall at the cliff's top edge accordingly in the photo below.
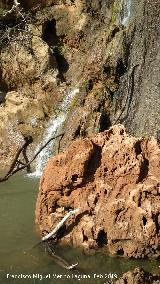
(125, 12)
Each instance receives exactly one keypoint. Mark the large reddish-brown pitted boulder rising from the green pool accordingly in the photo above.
(114, 179)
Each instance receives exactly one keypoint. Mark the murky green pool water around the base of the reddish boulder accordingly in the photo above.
(20, 255)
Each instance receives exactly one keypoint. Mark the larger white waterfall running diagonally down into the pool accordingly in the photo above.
(53, 128)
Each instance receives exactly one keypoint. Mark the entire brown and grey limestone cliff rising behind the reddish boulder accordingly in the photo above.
(109, 49)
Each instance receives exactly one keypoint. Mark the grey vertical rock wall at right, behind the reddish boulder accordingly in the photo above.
(138, 98)
